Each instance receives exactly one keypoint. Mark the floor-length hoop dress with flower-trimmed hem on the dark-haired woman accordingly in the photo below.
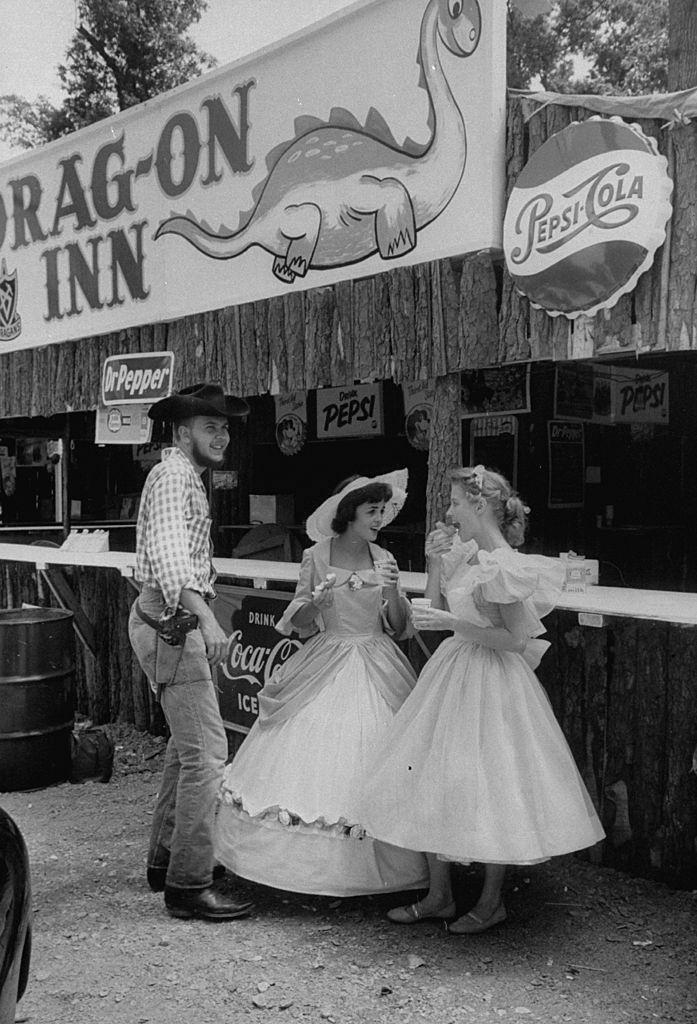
(289, 815)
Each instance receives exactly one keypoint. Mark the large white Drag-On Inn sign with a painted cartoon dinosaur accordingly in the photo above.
(371, 141)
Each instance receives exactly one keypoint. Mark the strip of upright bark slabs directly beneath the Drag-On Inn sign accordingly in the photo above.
(410, 324)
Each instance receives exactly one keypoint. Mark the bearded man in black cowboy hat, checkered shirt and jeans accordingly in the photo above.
(180, 644)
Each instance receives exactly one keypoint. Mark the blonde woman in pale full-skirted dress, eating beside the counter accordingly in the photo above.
(475, 766)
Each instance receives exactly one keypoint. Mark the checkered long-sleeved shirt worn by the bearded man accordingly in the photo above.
(173, 536)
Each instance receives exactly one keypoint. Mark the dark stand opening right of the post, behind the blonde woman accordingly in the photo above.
(604, 456)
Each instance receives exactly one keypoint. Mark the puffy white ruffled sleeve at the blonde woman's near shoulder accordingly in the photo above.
(534, 581)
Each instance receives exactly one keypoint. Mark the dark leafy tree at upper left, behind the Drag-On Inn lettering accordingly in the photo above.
(123, 53)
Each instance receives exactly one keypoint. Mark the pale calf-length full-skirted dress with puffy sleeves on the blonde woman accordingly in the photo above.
(476, 767)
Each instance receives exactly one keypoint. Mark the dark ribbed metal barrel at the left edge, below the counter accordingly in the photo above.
(36, 698)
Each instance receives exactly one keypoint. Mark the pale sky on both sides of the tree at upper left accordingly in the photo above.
(36, 34)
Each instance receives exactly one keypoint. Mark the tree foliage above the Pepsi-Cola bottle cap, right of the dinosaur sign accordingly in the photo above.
(596, 47)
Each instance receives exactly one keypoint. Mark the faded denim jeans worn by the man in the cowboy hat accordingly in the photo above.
(182, 836)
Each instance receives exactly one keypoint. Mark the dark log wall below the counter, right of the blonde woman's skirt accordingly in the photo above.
(625, 695)
